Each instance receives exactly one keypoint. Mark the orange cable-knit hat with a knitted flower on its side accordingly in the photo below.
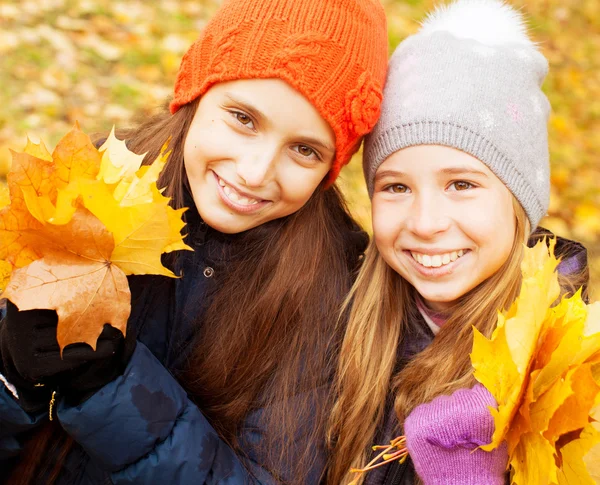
(334, 52)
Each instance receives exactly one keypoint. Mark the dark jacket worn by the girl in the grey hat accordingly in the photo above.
(574, 259)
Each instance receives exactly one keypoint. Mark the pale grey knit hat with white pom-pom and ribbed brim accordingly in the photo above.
(470, 79)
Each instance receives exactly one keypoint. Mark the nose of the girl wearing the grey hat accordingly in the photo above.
(428, 216)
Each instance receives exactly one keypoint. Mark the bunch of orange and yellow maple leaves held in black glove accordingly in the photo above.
(80, 220)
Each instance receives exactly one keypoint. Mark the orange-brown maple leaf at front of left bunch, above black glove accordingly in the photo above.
(77, 279)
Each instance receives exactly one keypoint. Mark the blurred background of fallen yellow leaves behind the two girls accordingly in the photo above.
(106, 63)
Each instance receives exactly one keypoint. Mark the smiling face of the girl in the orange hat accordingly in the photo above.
(256, 151)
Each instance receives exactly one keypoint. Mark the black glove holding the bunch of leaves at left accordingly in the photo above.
(32, 363)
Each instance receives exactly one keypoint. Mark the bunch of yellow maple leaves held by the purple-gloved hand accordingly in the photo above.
(542, 365)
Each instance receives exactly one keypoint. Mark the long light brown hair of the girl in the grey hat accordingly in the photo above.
(382, 304)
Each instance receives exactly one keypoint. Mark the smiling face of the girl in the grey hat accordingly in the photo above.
(442, 220)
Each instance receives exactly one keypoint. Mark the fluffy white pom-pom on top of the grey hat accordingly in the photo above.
(491, 22)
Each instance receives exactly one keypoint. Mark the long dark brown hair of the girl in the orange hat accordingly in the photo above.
(269, 336)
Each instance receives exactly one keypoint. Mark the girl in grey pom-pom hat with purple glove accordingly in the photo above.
(457, 170)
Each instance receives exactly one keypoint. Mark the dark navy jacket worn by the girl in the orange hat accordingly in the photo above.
(142, 428)
